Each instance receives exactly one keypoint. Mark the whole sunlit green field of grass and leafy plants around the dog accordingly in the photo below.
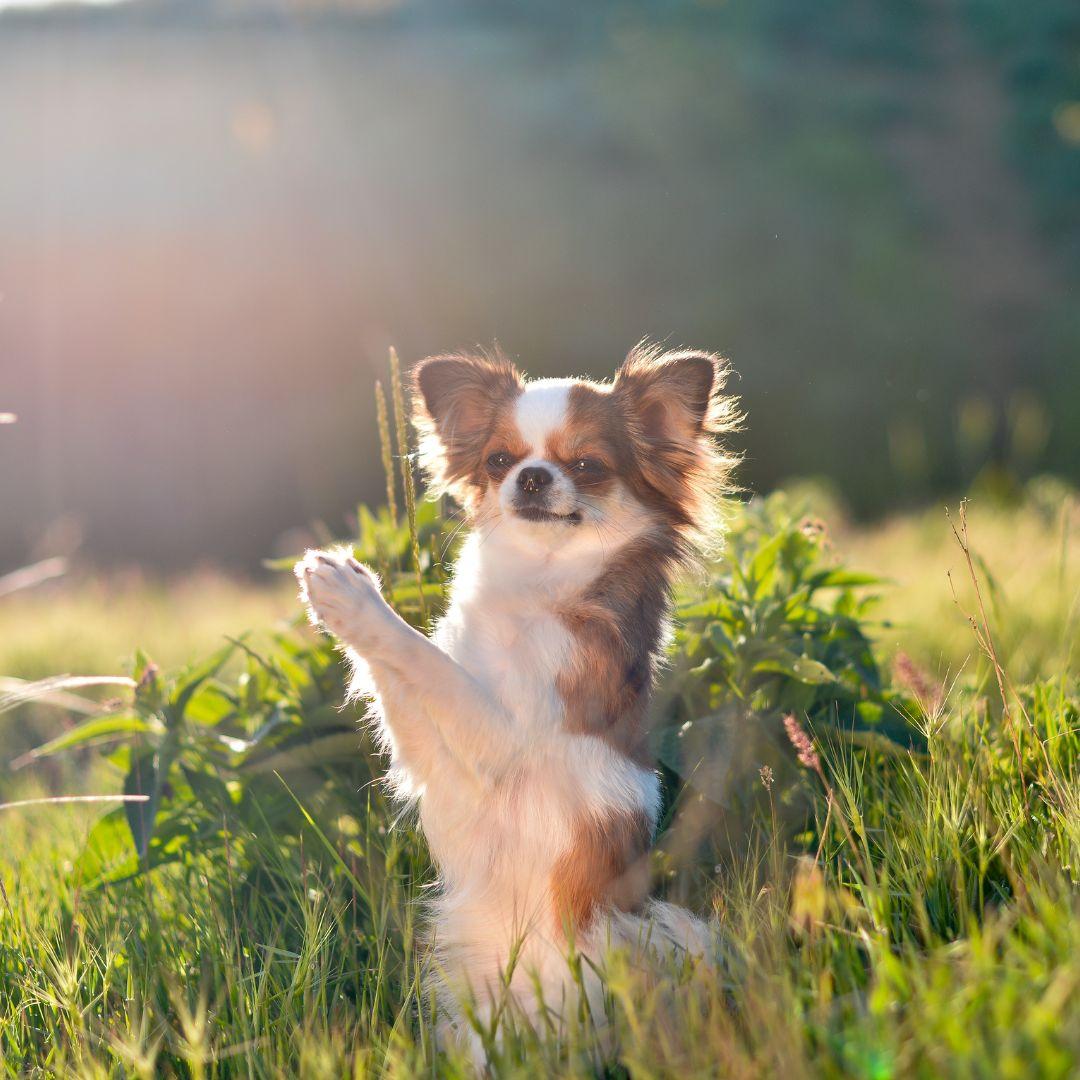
(901, 899)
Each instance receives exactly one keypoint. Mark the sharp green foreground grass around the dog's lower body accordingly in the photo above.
(943, 939)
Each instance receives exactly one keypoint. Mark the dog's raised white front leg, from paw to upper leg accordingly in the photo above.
(434, 707)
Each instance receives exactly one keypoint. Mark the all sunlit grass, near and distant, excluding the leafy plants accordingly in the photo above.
(924, 920)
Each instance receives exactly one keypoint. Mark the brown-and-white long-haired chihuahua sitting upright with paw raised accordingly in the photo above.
(520, 726)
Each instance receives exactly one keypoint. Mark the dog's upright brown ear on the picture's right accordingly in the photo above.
(671, 398)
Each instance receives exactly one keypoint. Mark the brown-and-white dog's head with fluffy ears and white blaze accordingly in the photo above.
(551, 456)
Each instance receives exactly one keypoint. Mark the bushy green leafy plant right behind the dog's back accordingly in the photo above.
(775, 628)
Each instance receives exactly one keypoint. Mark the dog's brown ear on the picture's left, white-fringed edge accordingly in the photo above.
(456, 401)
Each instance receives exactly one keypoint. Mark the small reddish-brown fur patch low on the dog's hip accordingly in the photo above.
(606, 866)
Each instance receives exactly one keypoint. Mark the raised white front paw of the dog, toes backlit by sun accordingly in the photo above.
(340, 593)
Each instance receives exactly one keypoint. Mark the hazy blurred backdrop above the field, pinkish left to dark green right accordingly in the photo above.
(217, 215)
